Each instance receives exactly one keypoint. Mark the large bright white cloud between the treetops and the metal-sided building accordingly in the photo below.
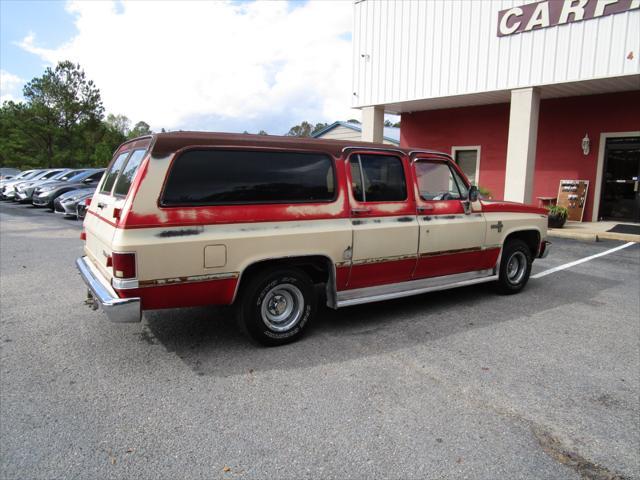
(214, 64)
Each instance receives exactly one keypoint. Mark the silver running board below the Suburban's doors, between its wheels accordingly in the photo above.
(357, 296)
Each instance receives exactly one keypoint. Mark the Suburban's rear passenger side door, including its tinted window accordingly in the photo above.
(383, 218)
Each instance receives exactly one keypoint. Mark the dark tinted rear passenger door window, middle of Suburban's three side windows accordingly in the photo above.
(377, 178)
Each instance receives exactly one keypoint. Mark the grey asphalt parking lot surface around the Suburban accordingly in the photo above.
(457, 384)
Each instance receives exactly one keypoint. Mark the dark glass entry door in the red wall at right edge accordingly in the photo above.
(621, 180)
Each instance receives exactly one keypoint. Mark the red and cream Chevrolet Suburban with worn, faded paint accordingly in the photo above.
(187, 219)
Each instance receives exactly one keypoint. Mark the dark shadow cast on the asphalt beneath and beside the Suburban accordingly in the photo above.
(210, 342)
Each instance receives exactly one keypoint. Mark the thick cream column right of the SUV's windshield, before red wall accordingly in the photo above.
(521, 149)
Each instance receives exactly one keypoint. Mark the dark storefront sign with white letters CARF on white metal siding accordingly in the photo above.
(550, 13)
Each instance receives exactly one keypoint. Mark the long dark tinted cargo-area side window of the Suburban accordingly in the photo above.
(219, 177)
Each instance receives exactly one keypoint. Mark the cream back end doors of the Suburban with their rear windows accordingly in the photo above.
(103, 214)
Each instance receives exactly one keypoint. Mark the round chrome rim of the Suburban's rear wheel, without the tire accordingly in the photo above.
(282, 307)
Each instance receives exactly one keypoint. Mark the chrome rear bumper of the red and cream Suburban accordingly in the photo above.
(119, 310)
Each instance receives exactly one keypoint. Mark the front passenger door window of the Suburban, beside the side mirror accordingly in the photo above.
(437, 181)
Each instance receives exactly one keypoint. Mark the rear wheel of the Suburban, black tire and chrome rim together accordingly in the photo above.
(262, 308)
